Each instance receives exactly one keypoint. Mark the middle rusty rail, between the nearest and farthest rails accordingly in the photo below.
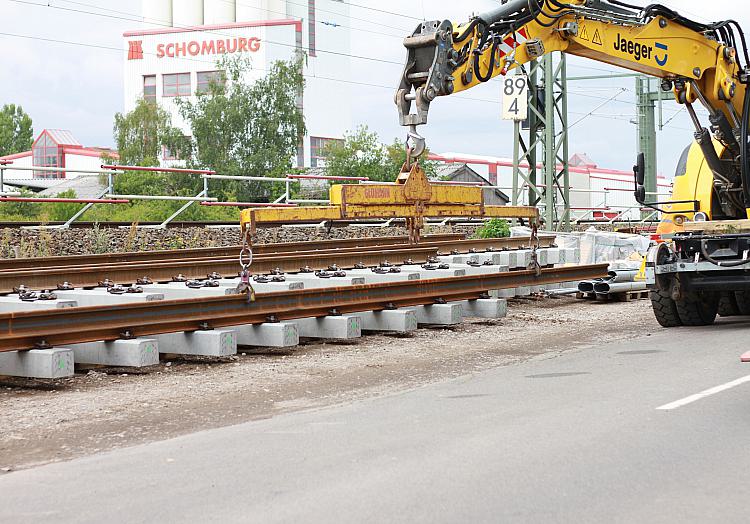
(165, 271)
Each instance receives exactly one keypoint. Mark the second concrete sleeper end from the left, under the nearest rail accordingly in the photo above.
(136, 353)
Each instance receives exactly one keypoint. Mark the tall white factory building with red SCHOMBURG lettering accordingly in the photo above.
(175, 54)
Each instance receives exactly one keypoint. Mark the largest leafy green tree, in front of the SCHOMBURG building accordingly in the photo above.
(248, 128)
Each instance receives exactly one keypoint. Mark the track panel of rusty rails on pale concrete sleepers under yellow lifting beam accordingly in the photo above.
(185, 301)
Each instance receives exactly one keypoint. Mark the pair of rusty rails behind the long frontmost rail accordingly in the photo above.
(167, 266)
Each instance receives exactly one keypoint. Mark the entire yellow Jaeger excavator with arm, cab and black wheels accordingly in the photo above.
(704, 266)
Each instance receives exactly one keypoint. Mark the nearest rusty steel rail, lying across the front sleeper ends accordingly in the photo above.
(57, 328)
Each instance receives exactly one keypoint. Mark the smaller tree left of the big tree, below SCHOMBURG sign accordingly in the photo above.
(141, 134)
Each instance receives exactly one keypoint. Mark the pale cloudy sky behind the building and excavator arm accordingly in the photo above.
(78, 85)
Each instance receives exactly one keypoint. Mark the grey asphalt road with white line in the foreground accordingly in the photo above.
(575, 438)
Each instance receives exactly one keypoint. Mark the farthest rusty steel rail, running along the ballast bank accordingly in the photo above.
(444, 243)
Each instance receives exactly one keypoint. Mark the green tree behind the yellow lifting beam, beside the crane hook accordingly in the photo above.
(362, 155)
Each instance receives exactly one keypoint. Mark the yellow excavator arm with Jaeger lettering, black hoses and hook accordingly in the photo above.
(698, 62)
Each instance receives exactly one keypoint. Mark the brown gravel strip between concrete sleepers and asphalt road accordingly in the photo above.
(104, 409)
